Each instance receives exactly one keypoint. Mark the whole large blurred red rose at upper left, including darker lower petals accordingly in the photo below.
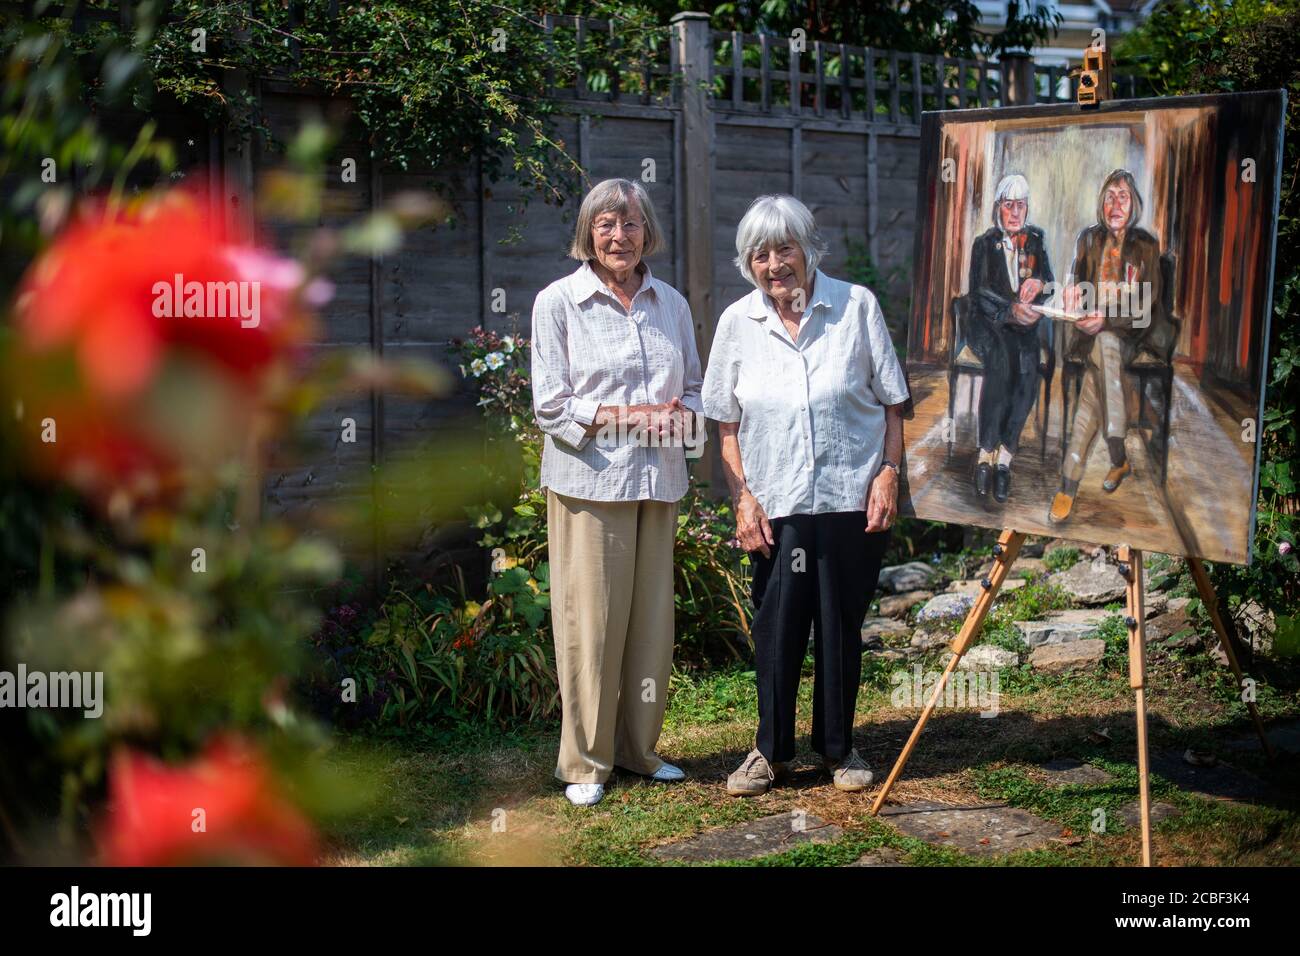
(145, 343)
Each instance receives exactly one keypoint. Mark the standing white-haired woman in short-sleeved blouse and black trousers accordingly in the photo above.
(808, 392)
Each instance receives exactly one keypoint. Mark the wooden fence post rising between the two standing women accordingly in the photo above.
(695, 50)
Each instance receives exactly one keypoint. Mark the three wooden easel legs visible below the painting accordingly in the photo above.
(1006, 552)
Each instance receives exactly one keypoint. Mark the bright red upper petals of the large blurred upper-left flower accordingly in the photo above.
(119, 289)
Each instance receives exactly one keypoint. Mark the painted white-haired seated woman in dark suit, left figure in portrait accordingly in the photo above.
(1009, 275)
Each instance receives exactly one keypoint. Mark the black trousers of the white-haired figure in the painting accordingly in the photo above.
(1011, 386)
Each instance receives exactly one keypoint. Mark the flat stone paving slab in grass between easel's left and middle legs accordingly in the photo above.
(980, 830)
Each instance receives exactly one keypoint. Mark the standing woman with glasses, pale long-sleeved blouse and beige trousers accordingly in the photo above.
(616, 391)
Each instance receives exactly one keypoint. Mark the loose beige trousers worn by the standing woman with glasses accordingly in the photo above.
(612, 612)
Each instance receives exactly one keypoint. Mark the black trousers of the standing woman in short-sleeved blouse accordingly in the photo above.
(822, 574)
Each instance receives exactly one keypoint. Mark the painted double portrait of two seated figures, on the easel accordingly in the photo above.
(1087, 343)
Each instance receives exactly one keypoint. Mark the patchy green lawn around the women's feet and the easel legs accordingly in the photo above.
(436, 798)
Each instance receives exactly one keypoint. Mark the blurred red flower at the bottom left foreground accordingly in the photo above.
(222, 808)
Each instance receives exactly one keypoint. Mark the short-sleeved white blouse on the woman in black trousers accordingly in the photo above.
(812, 413)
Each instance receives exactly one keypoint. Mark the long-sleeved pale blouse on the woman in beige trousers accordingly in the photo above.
(590, 352)
